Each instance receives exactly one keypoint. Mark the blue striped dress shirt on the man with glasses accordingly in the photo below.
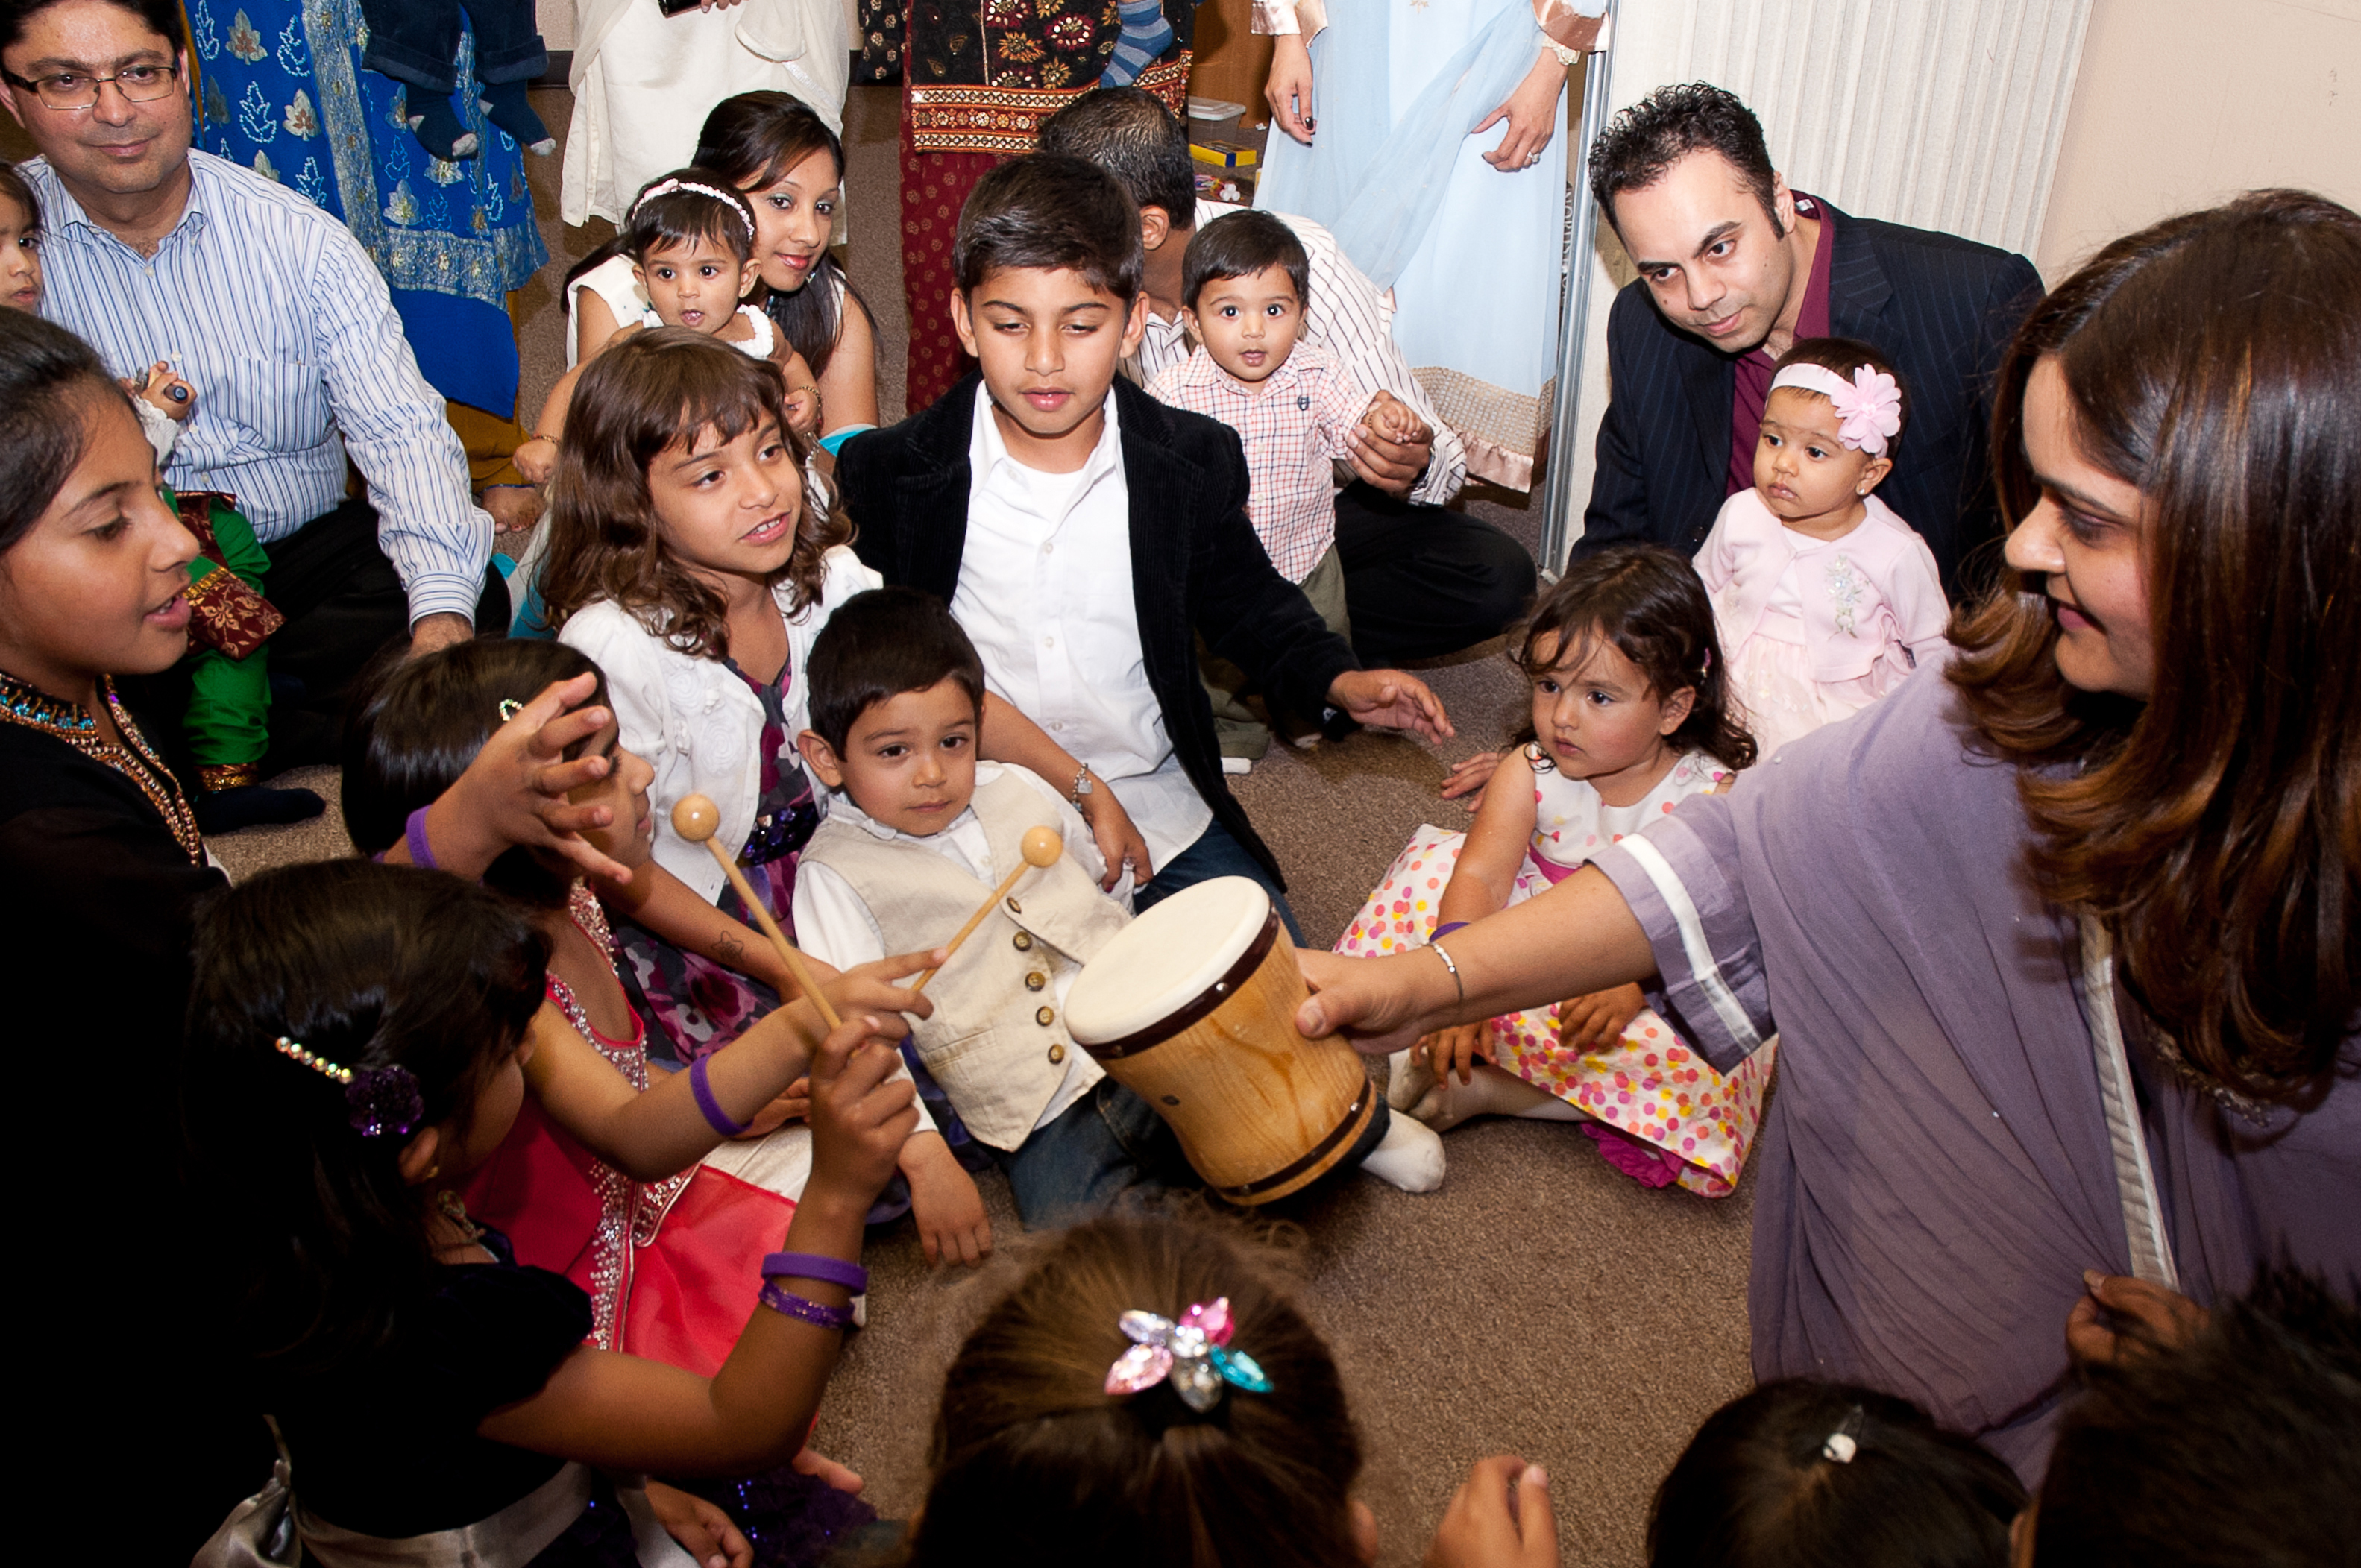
(282, 325)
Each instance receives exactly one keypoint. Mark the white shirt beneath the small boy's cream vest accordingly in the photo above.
(835, 922)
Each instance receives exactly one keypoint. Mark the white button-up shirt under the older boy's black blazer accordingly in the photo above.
(1047, 596)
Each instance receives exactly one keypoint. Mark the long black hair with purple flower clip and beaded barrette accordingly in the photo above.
(322, 1241)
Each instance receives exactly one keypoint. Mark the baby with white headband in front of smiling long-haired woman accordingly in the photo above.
(691, 244)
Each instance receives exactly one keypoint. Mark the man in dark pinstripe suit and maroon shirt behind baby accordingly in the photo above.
(1734, 270)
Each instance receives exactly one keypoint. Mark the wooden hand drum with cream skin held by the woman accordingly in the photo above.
(1193, 1010)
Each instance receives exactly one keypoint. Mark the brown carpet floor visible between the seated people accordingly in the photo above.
(1538, 1302)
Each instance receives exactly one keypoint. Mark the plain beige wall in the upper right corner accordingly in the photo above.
(2183, 103)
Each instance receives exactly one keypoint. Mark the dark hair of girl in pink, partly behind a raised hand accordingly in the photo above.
(417, 724)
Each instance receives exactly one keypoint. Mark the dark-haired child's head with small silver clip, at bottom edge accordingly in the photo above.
(1807, 1472)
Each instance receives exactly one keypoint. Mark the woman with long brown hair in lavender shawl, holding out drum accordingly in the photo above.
(2060, 948)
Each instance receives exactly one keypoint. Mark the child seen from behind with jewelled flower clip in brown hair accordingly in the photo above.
(1083, 1423)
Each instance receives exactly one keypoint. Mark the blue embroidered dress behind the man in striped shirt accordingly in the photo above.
(282, 93)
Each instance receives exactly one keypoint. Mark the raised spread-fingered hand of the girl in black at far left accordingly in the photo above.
(516, 790)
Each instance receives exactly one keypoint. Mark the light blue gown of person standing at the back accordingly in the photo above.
(1470, 251)
